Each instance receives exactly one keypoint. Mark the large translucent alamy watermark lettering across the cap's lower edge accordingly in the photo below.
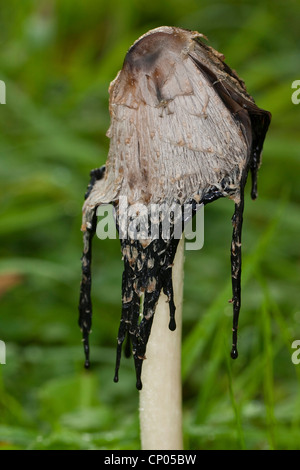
(154, 221)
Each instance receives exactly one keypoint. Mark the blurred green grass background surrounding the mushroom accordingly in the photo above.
(57, 59)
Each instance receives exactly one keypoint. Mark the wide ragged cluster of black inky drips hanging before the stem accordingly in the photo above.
(147, 271)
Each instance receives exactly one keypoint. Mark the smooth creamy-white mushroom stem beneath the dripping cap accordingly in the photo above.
(160, 397)
